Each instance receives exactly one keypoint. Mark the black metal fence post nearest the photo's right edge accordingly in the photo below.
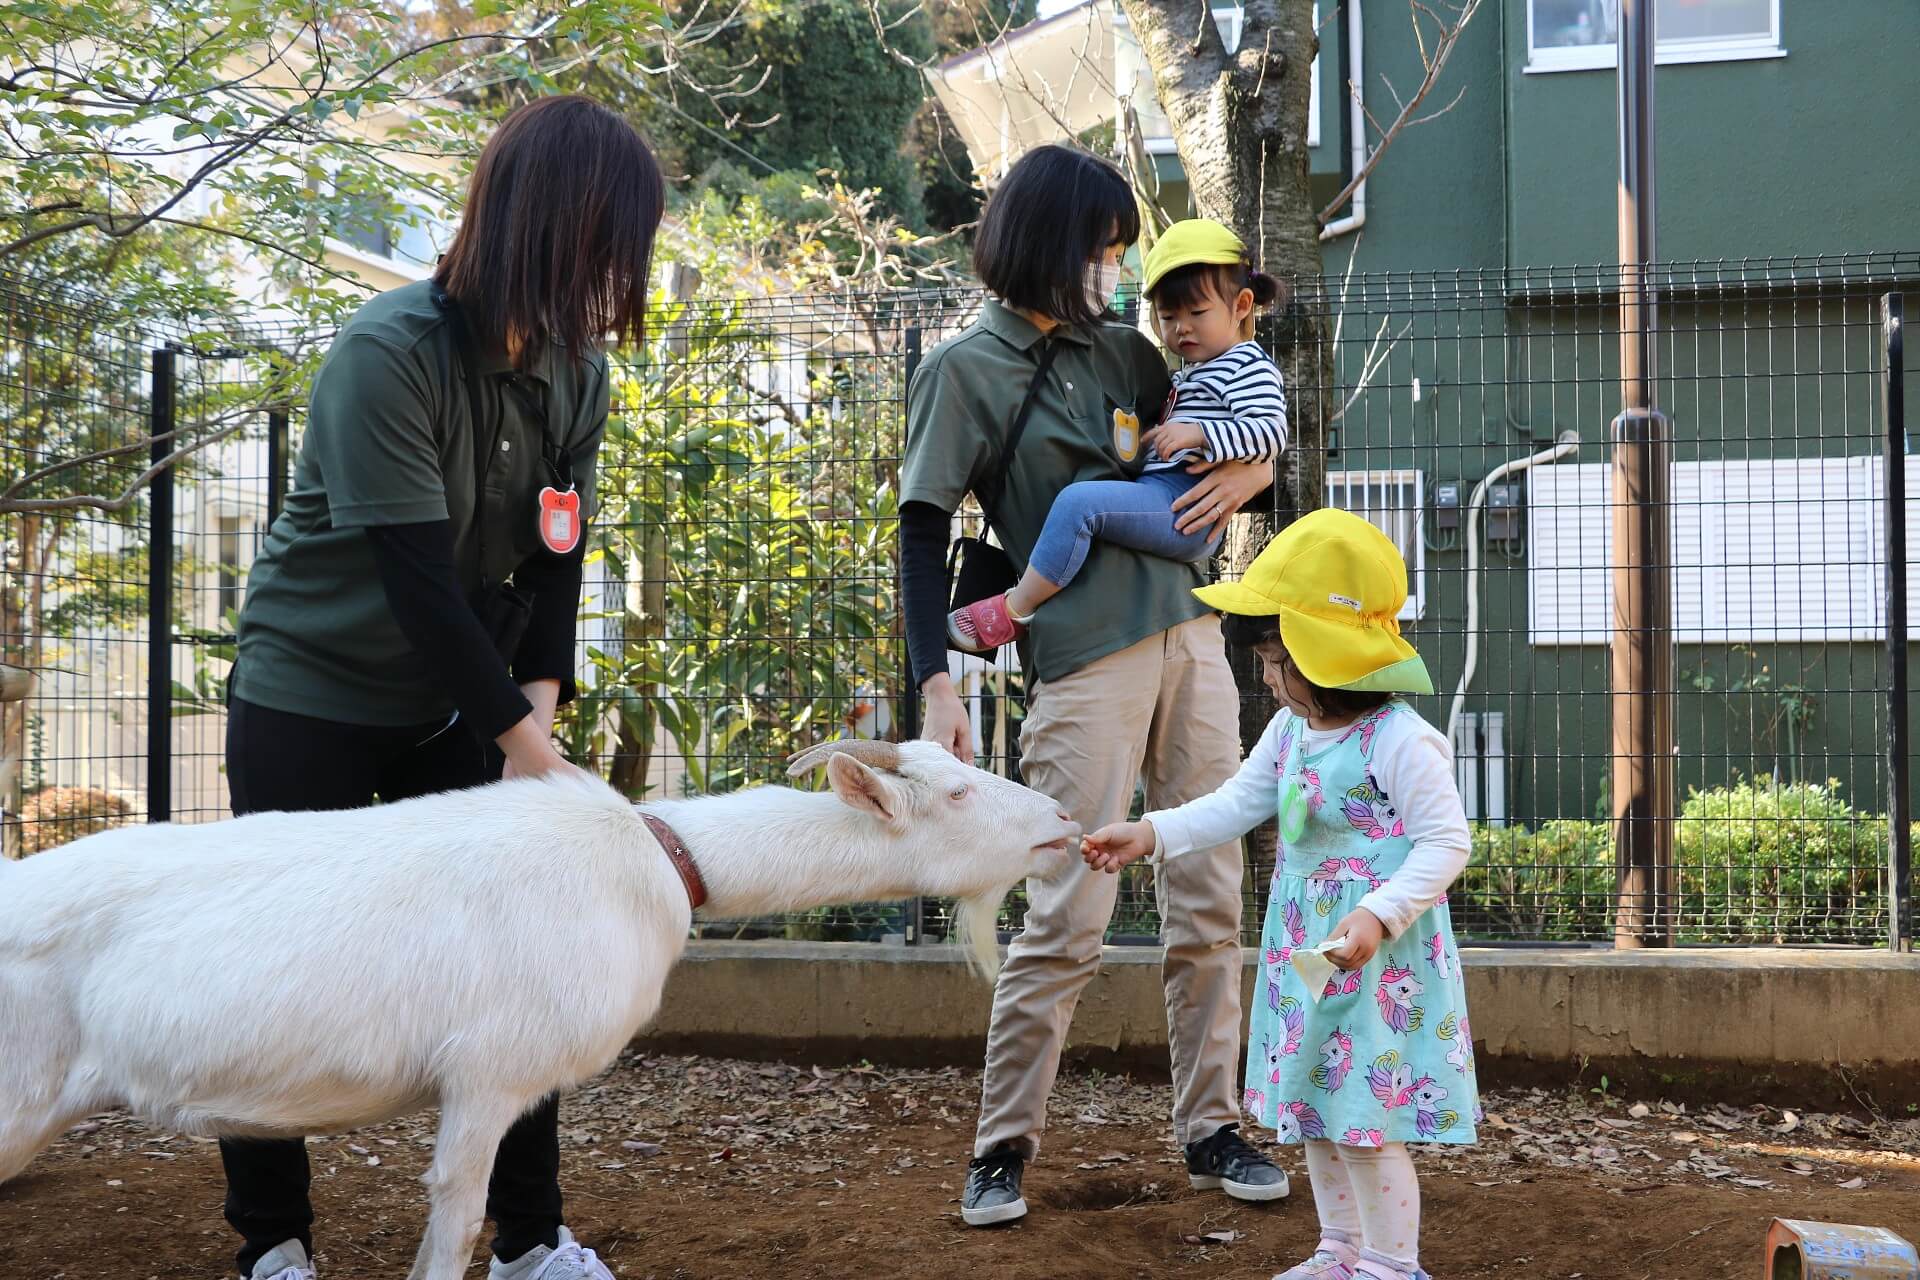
(1900, 803)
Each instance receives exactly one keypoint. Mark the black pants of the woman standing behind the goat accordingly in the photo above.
(293, 763)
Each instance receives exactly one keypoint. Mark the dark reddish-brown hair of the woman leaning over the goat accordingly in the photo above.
(556, 241)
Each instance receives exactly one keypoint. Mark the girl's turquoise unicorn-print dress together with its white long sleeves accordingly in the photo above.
(1387, 1053)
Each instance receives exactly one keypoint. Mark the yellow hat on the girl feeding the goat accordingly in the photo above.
(1337, 586)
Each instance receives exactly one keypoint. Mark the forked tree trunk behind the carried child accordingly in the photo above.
(1241, 130)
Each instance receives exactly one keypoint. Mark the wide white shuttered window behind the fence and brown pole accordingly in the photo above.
(1764, 552)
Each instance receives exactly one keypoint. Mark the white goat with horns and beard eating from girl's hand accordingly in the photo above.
(306, 974)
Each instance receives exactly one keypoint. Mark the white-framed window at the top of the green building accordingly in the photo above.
(1581, 36)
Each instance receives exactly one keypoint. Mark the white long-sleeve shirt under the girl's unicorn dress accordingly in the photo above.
(1412, 765)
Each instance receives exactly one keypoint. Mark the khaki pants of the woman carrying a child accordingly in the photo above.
(1166, 707)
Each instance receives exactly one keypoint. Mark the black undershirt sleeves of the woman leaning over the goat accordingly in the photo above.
(416, 563)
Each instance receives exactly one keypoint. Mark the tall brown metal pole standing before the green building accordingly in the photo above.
(1643, 577)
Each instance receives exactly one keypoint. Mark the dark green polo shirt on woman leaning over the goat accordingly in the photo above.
(391, 440)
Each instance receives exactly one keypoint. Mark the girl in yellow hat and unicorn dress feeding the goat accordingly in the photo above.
(1372, 838)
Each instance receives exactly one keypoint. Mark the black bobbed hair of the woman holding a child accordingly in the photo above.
(1055, 210)
